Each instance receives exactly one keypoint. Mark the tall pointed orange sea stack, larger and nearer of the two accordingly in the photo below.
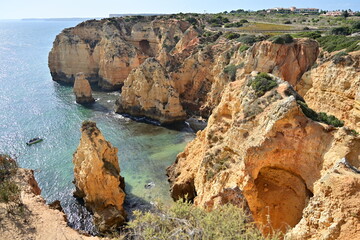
(97, 178)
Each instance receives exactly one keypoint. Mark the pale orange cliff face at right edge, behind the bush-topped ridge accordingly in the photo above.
(333, 86)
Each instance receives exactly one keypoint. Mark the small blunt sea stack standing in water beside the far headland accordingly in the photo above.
(82, 89)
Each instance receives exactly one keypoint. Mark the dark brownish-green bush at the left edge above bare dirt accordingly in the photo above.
(9, 191)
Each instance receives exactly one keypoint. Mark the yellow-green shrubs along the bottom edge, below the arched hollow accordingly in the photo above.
(185, 221)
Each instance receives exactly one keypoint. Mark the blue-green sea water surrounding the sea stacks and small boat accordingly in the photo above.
(32, 105)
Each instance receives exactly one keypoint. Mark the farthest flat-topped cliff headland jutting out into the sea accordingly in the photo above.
(107, 50)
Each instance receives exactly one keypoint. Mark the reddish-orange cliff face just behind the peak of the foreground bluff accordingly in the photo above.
(287, 61)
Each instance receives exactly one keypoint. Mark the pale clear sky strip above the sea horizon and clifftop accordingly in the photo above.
(15, 9)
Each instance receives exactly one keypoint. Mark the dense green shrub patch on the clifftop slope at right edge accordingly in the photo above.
(333, 43)
